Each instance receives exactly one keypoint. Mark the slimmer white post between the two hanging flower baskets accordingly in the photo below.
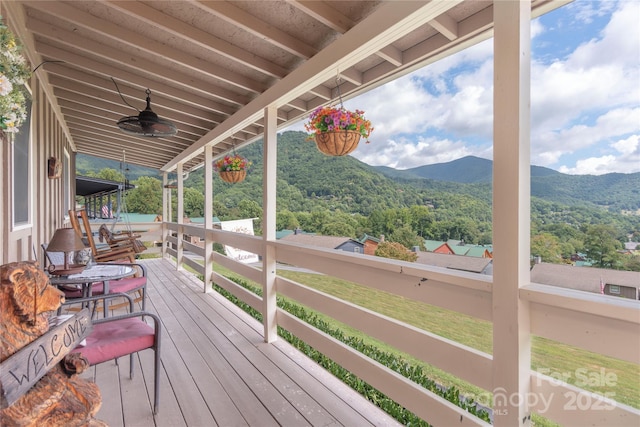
(269, 224)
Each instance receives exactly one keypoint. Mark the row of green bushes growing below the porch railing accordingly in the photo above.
(391, 361)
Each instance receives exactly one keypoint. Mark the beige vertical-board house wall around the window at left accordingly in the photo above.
(47, 198)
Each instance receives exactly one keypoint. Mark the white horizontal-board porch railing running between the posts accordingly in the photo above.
(606, 325)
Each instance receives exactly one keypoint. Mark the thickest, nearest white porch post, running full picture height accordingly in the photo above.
(511, 212)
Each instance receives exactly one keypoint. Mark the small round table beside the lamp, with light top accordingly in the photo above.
(90, 275)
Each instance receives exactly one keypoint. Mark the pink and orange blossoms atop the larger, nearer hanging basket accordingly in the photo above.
(328, 119)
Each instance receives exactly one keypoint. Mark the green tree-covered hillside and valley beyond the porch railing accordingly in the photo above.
(343, 196)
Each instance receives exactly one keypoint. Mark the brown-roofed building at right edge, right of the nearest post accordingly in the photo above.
(618, 283)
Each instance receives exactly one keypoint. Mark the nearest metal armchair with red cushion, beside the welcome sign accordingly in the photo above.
(122, 335)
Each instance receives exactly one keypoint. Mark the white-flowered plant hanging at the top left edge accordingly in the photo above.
(14, 72)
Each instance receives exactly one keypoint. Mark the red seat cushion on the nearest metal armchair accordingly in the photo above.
(116, 338)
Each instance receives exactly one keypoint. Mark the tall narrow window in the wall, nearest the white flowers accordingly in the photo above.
(22, 173)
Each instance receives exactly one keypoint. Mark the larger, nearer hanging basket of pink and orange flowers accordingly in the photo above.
(337, 130)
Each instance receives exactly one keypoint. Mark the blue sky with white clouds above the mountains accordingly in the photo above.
(585, 98)
